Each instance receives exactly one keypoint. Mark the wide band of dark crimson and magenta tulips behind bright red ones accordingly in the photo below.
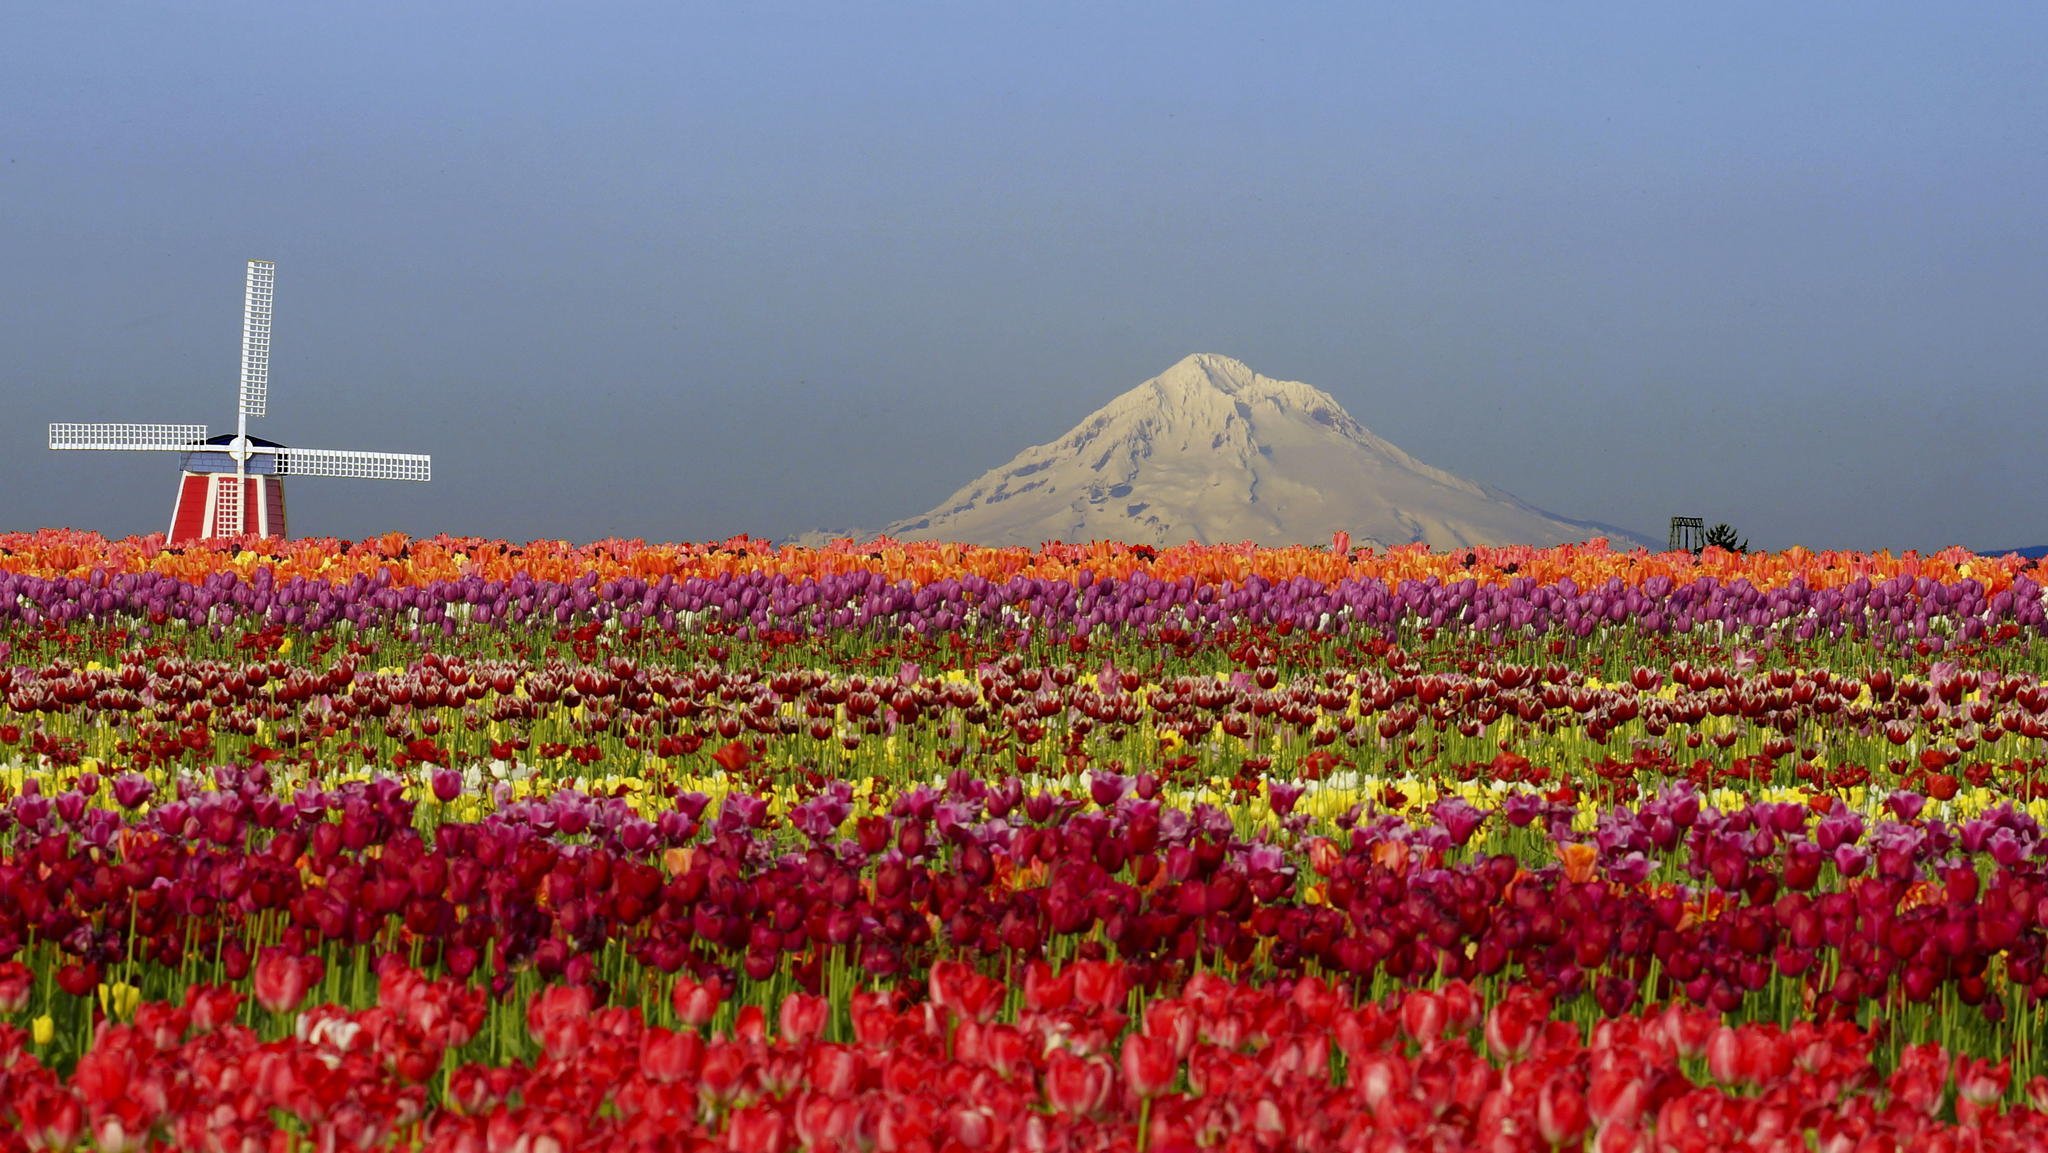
(1764, 910)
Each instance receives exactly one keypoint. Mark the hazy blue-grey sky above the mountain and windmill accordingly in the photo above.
(683, 271)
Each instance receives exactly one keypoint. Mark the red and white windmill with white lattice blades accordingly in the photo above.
(234, 486)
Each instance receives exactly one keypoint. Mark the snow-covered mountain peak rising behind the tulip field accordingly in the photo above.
(1213, 452)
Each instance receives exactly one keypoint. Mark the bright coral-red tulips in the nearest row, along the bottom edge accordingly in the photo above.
(1054, 1062)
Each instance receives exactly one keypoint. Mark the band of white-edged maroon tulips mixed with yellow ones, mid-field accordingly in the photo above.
(1947, 732)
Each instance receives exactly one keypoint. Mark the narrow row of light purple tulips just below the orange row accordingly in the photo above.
(1902, 607)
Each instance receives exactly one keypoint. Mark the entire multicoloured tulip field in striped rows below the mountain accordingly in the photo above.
(462, 845)
